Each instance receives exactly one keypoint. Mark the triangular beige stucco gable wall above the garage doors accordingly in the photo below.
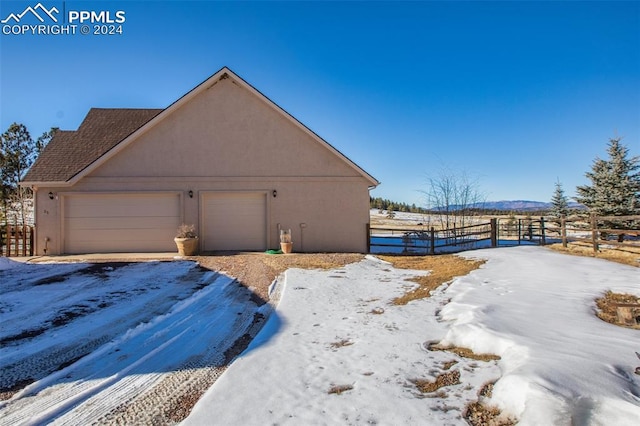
(225, 131)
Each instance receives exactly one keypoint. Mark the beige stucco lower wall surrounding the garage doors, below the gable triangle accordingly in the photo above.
(335, 211)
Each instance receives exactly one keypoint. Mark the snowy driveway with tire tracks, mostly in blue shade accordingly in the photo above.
(114, 343)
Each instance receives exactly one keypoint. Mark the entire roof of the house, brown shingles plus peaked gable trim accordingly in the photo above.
(105, 132)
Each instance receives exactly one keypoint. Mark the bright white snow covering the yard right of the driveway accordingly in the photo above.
(535, 308)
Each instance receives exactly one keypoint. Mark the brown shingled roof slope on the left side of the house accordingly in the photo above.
(70, 152)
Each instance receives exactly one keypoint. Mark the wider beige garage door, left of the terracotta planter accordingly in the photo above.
(109, 223)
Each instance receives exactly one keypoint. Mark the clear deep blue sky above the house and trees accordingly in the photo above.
(517, 94)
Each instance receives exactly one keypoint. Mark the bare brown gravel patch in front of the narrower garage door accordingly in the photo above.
(258, 270)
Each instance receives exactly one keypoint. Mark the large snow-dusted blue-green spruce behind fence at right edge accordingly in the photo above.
(615, 183)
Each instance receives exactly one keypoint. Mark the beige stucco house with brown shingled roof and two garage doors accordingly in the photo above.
(223, 157)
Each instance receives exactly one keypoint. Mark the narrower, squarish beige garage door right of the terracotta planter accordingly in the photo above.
(234, 221)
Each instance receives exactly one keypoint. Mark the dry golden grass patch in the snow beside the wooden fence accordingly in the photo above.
(444, 268)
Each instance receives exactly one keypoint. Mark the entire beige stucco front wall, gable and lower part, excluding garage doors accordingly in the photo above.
(228, 139)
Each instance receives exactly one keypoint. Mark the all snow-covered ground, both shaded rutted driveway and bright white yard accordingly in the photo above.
(139, 343)
